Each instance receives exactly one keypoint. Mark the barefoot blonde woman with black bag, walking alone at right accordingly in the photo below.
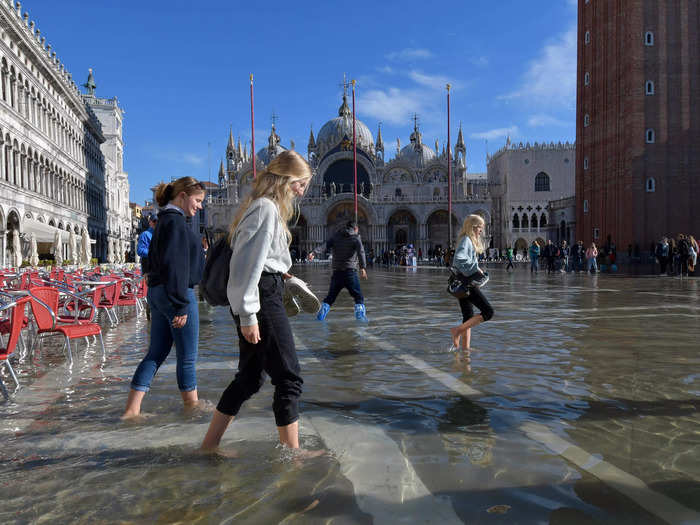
(465, 261)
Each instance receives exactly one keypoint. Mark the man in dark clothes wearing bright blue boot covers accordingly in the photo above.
(348, 256)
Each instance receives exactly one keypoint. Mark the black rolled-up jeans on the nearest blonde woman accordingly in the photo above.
(274, 354)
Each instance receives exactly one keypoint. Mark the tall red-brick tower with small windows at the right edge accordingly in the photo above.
(637, 121)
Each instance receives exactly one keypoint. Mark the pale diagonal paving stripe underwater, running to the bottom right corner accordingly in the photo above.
(661, 506)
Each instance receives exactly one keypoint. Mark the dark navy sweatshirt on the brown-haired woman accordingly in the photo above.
(175, 258)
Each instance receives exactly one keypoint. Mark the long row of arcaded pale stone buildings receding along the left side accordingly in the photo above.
(53, 170)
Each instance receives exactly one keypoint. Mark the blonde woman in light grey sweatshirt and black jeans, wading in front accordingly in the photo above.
(260, 240)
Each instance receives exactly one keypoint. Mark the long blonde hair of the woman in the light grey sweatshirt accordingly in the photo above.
(274, 183)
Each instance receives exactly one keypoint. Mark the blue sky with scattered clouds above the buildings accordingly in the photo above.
(180, 70)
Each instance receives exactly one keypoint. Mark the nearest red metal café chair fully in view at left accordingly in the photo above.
(44, 303)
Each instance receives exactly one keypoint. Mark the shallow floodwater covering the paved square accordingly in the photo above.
(578, 404)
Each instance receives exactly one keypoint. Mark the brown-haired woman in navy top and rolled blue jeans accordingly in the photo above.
(176, 262)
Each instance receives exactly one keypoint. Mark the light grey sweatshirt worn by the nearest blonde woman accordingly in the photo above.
(259, 245)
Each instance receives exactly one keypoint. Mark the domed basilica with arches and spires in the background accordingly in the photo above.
(401, 201)
